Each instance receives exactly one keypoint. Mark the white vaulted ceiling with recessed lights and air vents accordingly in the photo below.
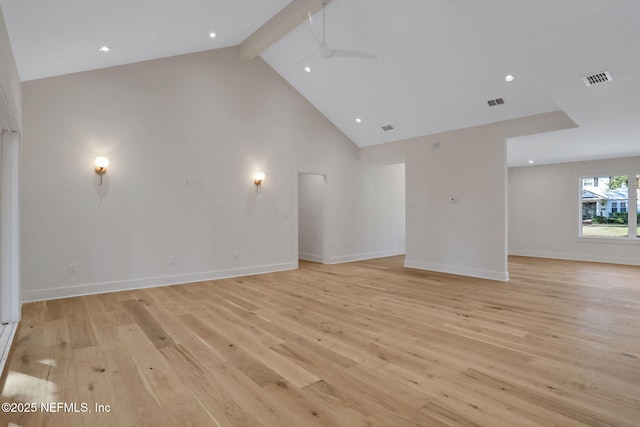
(438, 62)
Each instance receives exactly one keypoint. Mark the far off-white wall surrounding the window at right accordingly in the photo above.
(544, 209)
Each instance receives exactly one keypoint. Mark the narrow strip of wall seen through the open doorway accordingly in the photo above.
(311, 191)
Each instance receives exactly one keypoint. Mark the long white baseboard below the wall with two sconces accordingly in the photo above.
(151, 282)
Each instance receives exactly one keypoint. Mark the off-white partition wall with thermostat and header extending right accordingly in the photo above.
(466, 235)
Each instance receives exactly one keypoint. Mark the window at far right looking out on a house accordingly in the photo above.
(604, 209)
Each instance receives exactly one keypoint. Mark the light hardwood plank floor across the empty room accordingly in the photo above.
(359, 344)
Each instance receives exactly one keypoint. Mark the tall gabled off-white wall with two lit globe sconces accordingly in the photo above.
(184, 136)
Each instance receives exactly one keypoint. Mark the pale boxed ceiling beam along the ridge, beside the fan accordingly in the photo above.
(282, 23)
